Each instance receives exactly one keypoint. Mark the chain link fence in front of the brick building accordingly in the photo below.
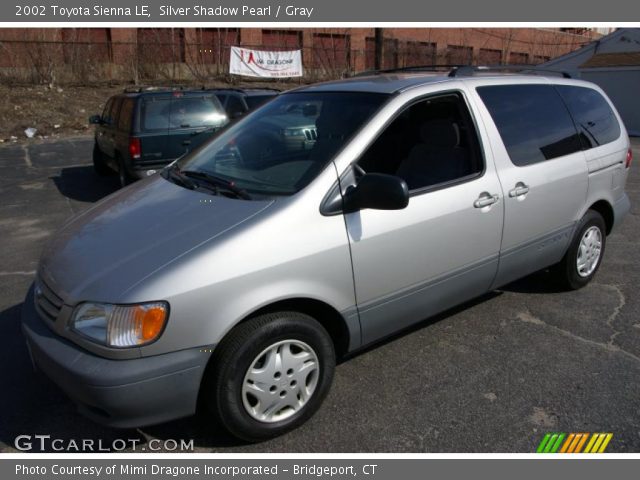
(165, 55)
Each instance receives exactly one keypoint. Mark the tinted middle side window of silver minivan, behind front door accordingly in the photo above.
(533, 121)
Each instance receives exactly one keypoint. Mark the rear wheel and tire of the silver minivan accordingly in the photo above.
(592, 230)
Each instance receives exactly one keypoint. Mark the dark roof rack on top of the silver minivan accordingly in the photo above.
(467, 70)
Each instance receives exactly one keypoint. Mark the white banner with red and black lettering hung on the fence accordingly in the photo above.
(260, 63)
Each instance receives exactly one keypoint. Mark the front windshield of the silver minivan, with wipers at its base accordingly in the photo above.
(281, 147)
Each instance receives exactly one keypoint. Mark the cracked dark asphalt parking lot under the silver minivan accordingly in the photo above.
(491, 376)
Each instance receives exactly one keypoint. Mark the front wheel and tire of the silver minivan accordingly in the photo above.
(241, 375)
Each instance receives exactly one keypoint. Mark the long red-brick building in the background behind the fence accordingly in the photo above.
(123, 53)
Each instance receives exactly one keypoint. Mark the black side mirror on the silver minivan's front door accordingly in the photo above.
(377, 191)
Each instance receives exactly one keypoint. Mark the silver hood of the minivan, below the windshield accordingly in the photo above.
(106, 250)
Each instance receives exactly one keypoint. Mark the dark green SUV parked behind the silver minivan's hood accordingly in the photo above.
(144, 129)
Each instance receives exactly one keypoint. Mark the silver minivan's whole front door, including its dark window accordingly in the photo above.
(442, 249)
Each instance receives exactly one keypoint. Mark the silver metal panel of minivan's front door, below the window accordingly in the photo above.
(436, 253)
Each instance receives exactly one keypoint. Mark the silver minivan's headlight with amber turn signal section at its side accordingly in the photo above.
(120, 325)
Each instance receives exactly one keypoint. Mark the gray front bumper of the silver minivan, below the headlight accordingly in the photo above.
(117, 393)
